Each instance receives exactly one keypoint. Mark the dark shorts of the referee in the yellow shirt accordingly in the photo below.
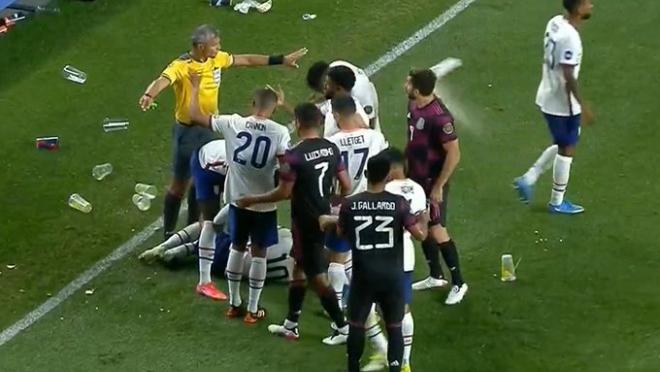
(186, 139)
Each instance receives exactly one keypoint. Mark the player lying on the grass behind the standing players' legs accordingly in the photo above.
(182, 245)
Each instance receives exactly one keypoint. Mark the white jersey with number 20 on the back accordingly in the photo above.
(253, 146)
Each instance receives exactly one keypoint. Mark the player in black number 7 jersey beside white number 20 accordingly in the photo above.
(310, 171)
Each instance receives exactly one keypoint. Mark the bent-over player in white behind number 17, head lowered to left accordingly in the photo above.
(363, 90)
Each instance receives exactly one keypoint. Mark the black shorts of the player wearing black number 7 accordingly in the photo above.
(308, 246)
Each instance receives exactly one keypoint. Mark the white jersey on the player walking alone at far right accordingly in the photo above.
(563, 46)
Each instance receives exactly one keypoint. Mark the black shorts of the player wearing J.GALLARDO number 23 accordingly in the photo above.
(388, 294)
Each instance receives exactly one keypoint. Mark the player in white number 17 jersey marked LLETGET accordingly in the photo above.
(357, 145)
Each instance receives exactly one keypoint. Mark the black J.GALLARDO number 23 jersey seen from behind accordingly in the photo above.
(374, 224)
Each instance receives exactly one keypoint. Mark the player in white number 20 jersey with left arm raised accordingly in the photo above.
(255, 145)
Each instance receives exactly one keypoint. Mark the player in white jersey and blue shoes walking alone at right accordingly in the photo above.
(561, 105)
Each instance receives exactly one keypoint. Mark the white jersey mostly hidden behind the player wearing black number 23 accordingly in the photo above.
(416, 197)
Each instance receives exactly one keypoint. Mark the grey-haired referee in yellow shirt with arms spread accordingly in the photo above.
(205, 59)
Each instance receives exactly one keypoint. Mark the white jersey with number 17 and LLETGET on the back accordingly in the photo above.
(356, 148)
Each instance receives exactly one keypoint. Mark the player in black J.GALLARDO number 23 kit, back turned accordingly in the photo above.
(374, 222)
